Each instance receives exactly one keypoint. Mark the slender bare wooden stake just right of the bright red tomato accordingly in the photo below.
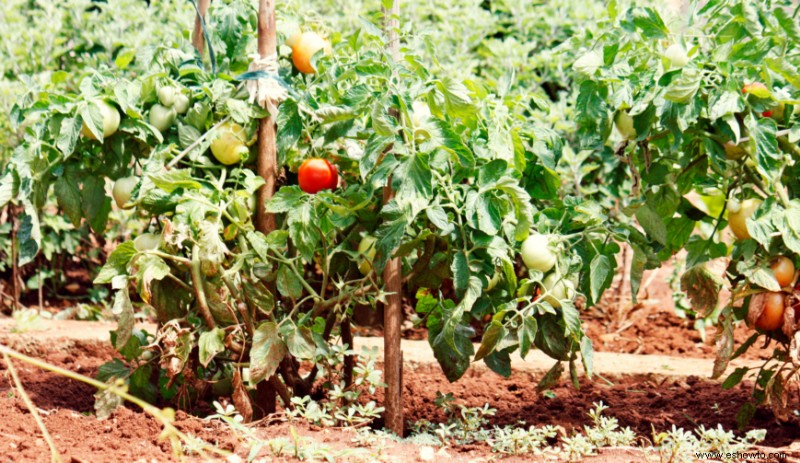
(392, 278)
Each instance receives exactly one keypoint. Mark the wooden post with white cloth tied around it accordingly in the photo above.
(266, 168)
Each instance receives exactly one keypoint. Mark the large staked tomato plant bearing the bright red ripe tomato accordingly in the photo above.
(474, 180)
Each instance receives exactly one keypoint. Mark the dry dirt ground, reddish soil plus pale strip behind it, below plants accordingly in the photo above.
(644, 392)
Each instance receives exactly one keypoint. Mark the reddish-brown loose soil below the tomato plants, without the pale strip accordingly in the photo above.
(642, 402)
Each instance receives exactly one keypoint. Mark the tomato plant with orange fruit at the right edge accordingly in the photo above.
(701, 127)
